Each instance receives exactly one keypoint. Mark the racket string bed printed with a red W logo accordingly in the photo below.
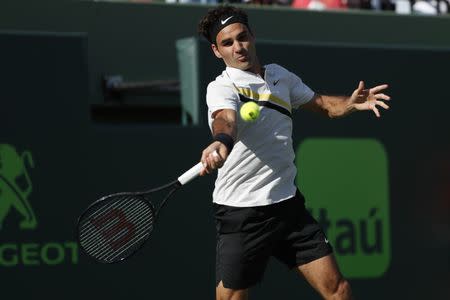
(113, 229)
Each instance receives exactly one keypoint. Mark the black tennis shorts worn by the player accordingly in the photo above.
(248, 236)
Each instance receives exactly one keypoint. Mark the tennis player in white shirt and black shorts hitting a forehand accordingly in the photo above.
(258, 210)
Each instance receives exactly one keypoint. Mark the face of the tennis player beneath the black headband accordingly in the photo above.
(236, 46)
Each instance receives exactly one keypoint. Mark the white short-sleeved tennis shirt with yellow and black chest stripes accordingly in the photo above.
(260, 170)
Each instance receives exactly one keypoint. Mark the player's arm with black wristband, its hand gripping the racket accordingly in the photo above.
(224, 131)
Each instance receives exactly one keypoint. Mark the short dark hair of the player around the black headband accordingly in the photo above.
(213, 16)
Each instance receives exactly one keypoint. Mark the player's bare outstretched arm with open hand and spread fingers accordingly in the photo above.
(340, 106)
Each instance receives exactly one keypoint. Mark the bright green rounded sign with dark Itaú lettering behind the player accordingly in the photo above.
(346, 185)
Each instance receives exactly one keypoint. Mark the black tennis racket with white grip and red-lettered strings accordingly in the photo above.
(116, 226)
